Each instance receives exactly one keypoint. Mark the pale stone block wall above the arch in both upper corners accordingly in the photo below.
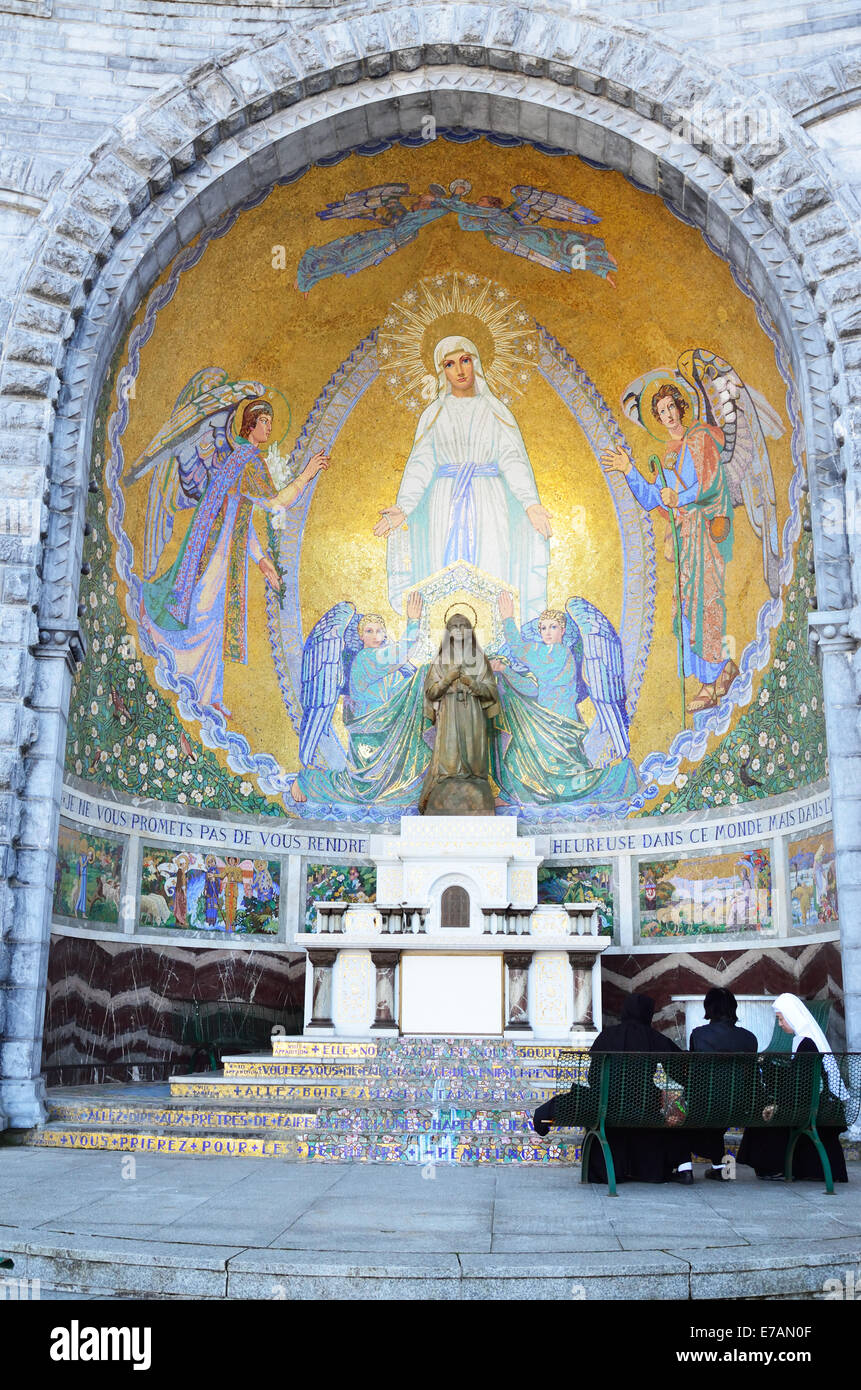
(70, 72)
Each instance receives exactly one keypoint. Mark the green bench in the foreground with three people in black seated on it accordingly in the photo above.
(703, 1090)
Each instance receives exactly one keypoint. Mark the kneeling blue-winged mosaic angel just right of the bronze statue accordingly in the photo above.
(547, 669)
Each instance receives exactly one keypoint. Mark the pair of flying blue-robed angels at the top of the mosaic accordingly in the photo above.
(515, 226)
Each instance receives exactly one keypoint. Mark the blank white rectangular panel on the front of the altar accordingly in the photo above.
(451, 995)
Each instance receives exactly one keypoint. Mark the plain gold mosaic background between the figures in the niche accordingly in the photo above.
(234, 311)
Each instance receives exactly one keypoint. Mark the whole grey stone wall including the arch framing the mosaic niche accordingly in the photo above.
(131, 129)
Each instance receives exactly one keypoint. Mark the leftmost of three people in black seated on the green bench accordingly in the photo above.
(641, 1156)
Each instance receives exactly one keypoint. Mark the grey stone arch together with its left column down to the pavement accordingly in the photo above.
(236, 126)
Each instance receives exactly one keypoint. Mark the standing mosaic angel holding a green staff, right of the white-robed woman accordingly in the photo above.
(711, 465)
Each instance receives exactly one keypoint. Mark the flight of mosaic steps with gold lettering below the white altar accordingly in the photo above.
(394, 1100)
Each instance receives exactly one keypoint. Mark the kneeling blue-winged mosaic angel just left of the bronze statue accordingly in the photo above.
(350, 657)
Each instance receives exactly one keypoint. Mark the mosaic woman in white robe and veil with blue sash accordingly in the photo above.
(468, 490)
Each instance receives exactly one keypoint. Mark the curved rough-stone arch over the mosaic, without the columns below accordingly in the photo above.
(190, 155)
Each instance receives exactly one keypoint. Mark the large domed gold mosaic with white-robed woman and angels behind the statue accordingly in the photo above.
(620, 515)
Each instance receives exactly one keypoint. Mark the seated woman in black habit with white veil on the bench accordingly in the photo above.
(764, 1150)
